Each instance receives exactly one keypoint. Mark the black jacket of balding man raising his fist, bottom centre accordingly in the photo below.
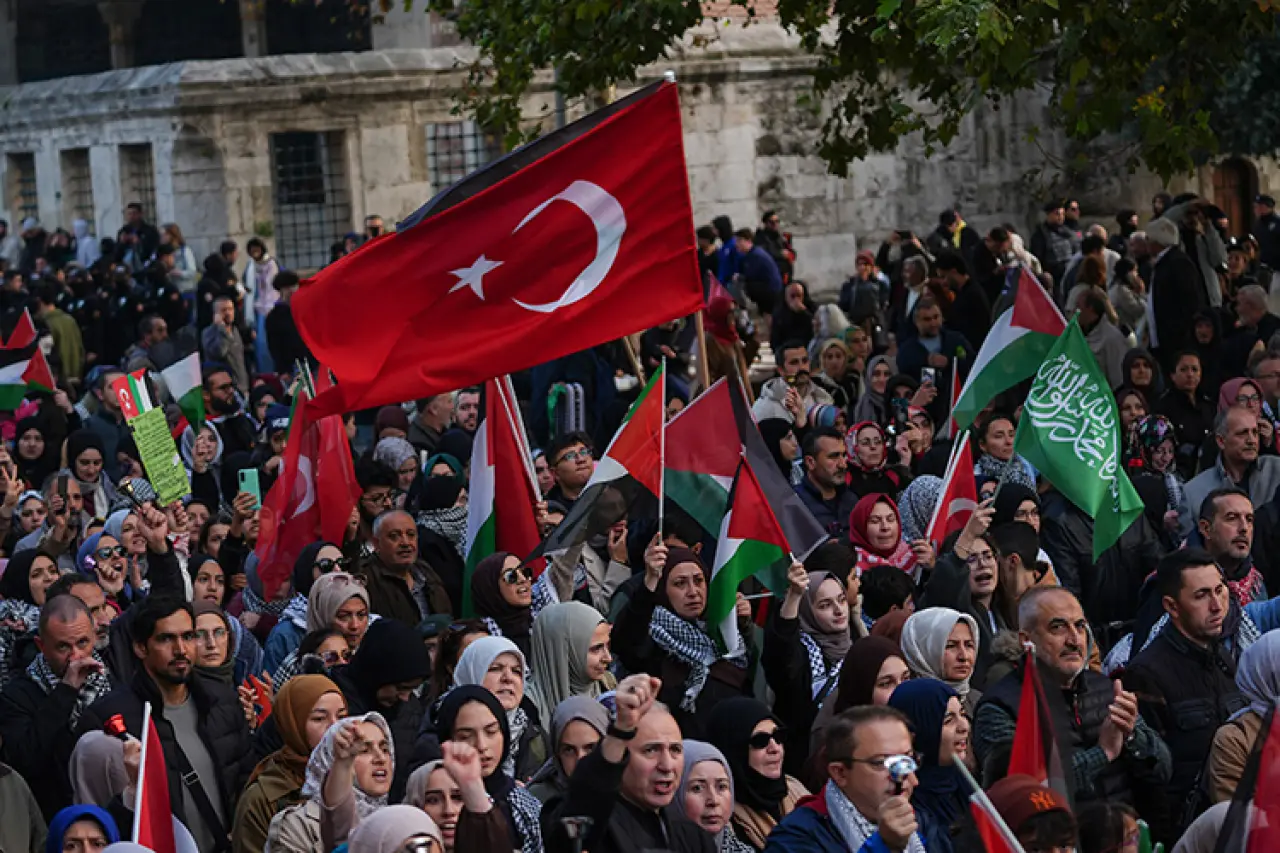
(618, 827)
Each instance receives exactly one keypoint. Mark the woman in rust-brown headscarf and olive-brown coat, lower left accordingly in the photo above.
(303, 711)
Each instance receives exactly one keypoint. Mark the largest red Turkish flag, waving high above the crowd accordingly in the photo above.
(580, 239)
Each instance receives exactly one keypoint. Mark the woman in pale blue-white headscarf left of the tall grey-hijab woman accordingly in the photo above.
(497, 665)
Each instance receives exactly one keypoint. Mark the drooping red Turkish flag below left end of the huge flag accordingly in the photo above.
(310, 500)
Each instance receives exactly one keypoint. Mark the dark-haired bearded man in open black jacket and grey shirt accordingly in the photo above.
(203, 731)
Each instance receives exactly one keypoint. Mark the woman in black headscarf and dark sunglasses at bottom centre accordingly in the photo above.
(753, 742)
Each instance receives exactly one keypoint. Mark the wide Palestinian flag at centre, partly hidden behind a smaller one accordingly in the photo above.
(702, 463)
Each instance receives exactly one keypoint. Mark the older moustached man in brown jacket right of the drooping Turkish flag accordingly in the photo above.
(400, 585)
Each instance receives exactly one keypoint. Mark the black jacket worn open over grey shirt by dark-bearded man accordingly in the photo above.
(222, 729)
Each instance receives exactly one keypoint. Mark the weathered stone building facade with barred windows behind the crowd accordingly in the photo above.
(299, 149)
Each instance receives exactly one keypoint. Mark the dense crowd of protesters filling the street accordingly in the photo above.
(390, 699)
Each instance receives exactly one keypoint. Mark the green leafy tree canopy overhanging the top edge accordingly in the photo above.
(1168, 80)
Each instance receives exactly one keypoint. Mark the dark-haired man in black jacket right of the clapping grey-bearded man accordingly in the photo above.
(1186, 677)
